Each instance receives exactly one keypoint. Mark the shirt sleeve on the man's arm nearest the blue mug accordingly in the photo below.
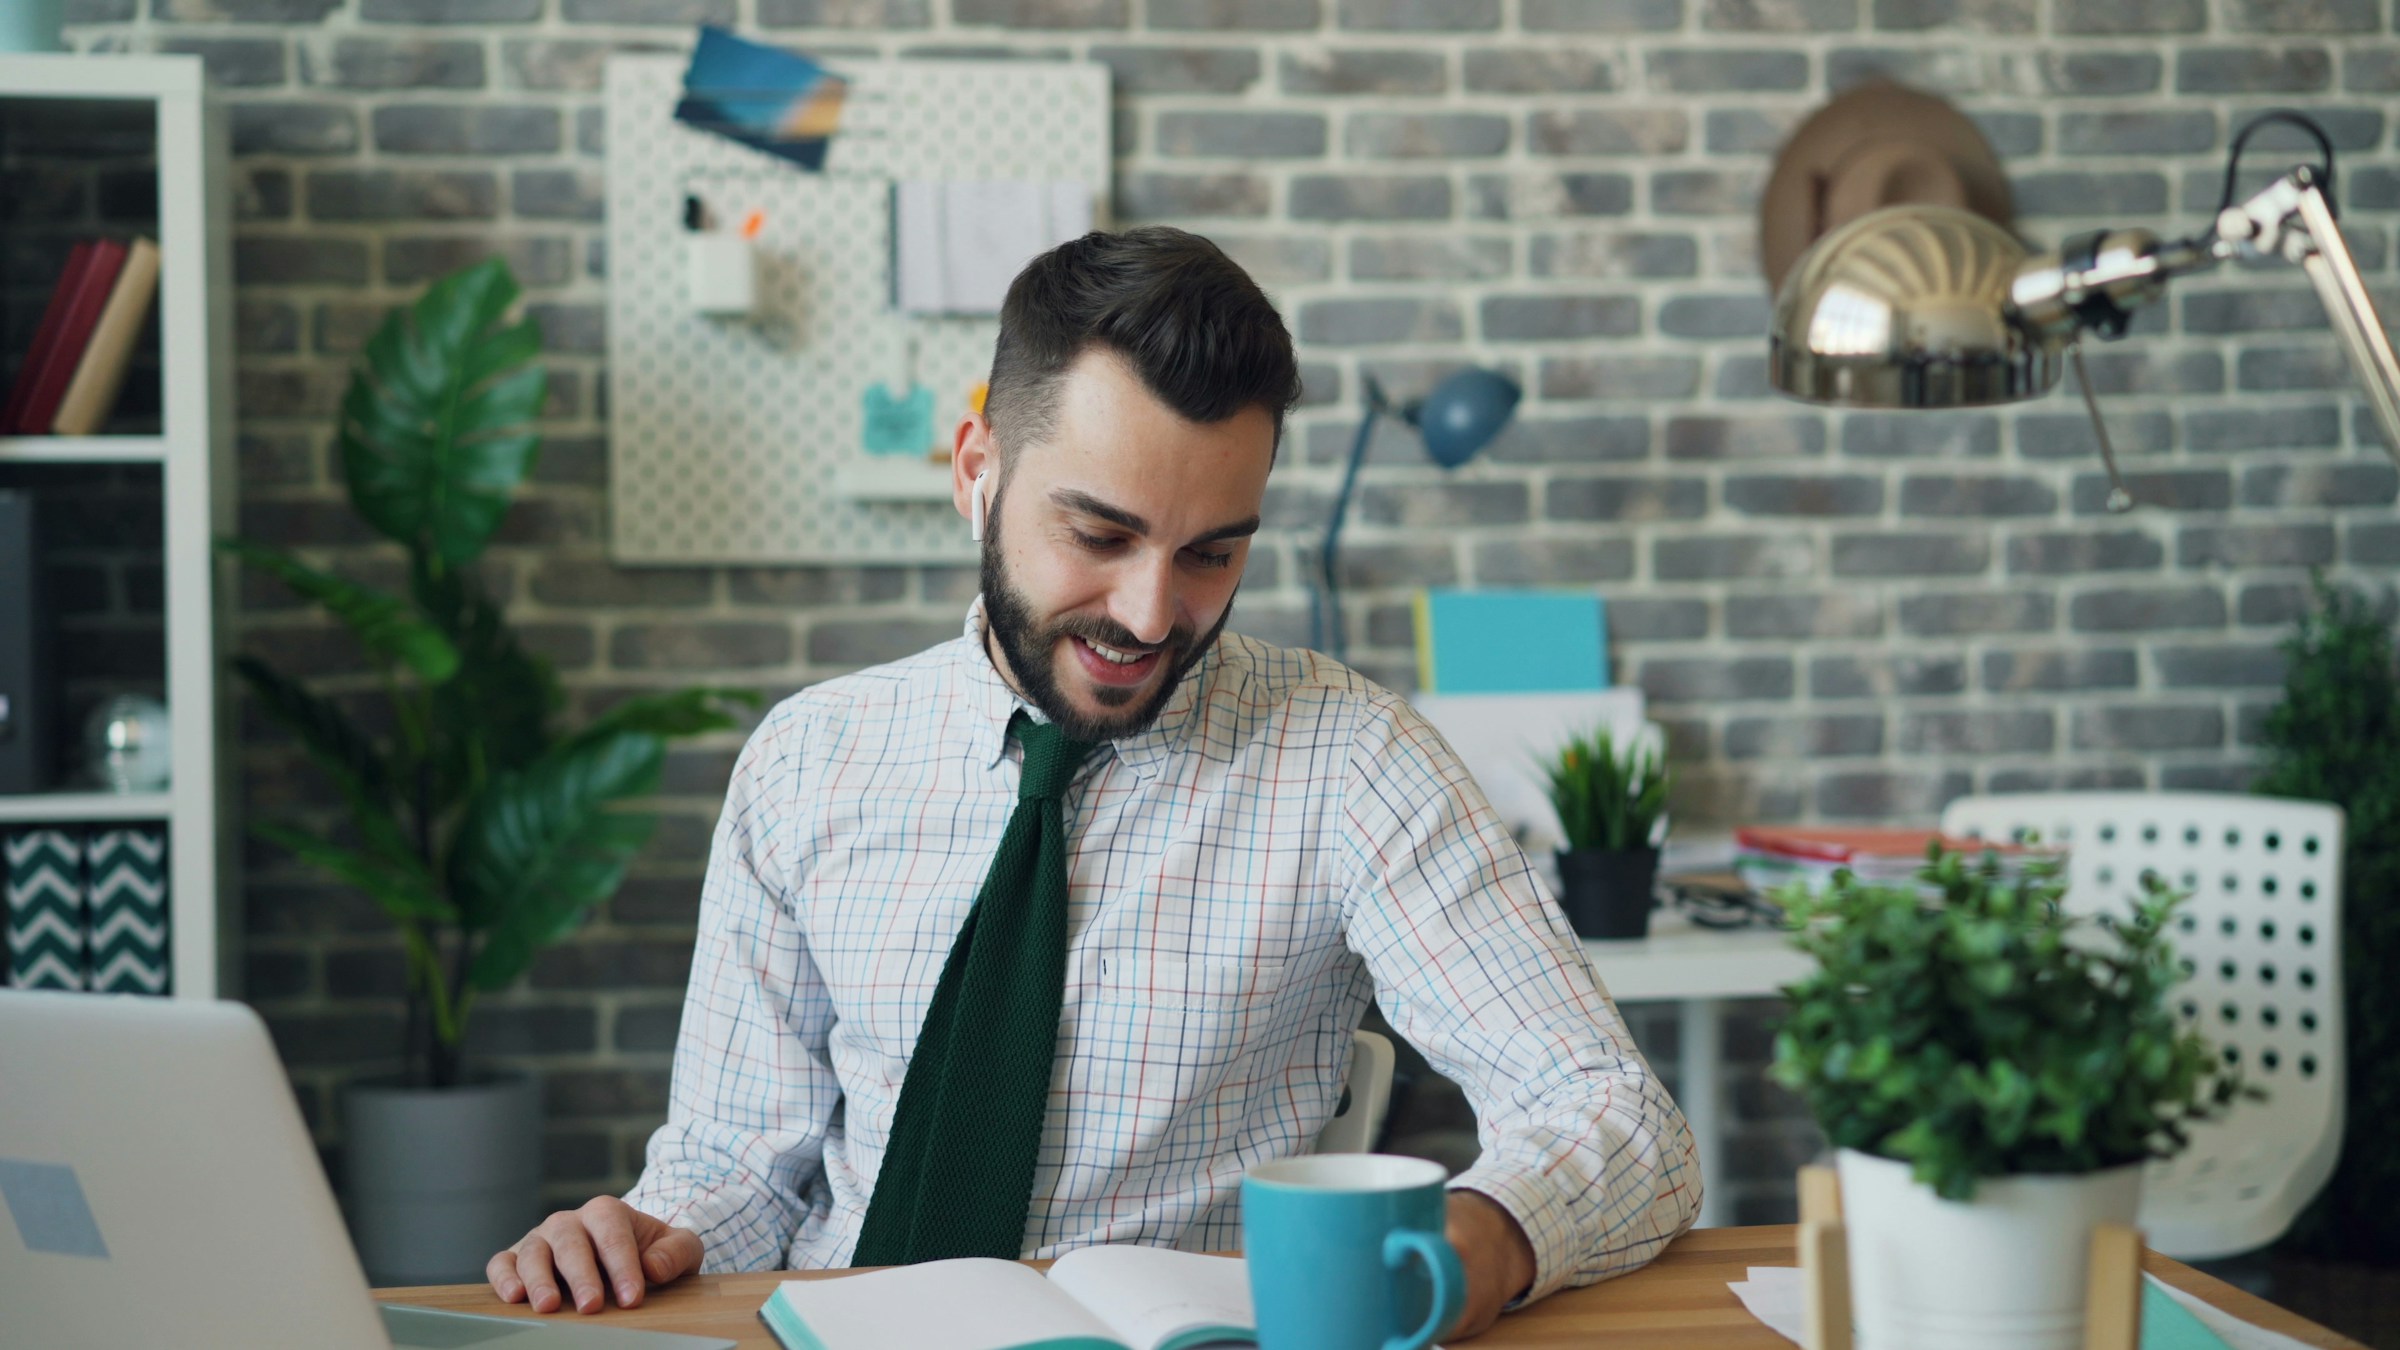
(1480, 969)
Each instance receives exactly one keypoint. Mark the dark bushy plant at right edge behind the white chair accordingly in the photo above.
(2336, 739)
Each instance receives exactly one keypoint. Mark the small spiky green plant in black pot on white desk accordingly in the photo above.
(1609, 806)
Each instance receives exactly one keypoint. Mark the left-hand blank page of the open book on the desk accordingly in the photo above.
(940, 1306)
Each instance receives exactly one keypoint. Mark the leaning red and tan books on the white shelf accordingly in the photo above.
(88, 333)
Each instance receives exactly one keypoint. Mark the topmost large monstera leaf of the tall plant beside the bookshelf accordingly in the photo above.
(438, 429)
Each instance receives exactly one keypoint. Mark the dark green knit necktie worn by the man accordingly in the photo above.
(961, 1166)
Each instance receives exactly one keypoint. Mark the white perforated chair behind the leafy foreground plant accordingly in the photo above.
(2262, 938)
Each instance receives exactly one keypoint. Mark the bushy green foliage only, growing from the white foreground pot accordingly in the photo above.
(1974, 1029)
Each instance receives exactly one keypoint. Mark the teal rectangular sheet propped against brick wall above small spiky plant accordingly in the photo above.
(1511, 643)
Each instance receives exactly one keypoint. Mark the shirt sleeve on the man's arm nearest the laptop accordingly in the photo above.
(752, 1089)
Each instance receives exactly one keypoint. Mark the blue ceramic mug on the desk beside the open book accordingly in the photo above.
(1348, 1253)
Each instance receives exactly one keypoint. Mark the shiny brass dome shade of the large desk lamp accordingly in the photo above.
(1907, 309)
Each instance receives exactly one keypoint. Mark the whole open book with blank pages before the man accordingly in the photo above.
(1096, 1298)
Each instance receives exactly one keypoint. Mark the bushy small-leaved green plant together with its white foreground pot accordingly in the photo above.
(1993, 1075)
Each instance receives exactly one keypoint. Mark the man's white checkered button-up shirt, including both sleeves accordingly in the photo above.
(1280, 847)
